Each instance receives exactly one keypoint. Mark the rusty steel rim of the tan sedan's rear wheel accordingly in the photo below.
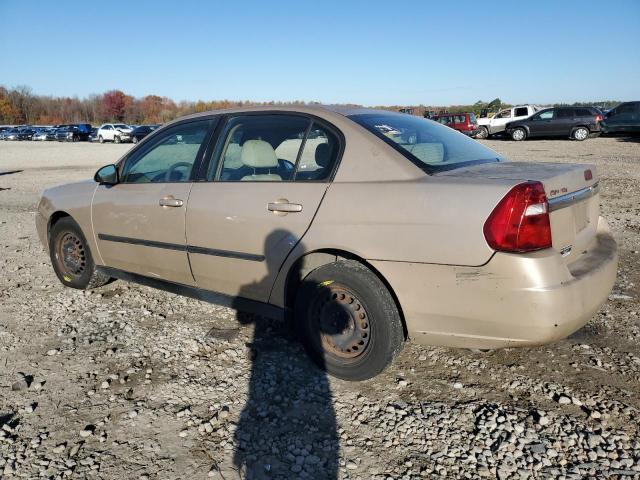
(342, 322)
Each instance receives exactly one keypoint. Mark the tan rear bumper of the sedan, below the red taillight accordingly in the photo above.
(515, 299)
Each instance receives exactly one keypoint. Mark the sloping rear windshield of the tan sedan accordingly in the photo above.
(431, 146)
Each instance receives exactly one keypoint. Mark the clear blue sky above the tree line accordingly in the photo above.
(366, 52)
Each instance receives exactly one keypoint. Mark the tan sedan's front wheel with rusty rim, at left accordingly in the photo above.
(71, 257)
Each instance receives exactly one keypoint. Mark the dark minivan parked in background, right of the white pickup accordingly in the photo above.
(571, 122)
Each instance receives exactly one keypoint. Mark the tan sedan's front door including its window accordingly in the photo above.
(139, 223)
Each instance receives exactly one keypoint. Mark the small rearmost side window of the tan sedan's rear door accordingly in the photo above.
(318, 155)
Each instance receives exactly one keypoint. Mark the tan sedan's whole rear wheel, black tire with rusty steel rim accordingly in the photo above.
(358, 316)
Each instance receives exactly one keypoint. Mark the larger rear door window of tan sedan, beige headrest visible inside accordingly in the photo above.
(259, 148)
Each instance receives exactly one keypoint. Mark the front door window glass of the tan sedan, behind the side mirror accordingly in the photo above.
(170, 158)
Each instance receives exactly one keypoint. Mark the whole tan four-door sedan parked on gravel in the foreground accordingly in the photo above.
(368, 227)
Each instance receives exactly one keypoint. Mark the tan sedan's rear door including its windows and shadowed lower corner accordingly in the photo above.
(266, 180)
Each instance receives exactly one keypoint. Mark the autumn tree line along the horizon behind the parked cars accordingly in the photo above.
(19, 105)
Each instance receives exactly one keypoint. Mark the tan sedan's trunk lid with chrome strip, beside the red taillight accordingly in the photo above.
(572, 191)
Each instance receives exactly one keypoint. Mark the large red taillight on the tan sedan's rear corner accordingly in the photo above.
(520, 222)
